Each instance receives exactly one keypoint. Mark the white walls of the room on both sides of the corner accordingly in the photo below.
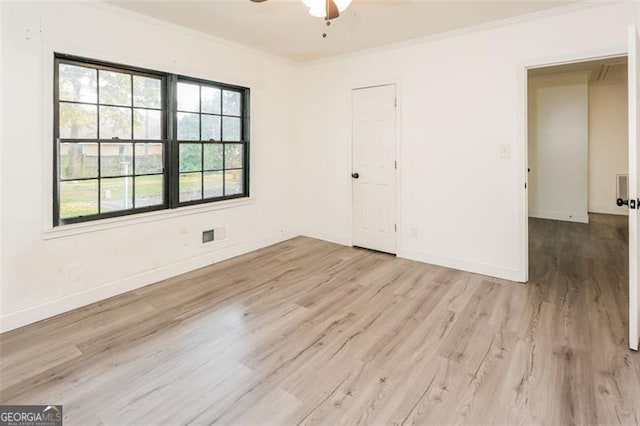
(461, 102)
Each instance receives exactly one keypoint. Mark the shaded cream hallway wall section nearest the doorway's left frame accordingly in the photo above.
(558, 126)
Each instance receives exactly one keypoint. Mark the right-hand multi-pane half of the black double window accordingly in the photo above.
(210, 137)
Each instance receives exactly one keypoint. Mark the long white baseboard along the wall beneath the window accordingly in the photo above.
(77, 300)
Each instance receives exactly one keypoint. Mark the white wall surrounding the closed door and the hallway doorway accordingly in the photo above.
(461, 99)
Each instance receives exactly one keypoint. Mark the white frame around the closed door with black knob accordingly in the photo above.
(397, 174)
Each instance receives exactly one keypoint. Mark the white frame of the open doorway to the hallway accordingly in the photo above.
(523, 151)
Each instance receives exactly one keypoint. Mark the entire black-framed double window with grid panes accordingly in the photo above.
(130, 140)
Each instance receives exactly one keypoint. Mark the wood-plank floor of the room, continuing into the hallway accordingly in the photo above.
(309, 332)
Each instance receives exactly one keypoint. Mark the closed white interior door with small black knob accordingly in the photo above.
(374, 168)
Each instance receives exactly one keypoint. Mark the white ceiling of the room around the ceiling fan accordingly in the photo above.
(284, 28)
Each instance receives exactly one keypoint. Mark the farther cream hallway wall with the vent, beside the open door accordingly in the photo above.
(608, 143)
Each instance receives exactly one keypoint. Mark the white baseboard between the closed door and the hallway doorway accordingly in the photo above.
(494, 271)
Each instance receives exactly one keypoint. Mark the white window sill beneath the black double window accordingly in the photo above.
(119, 222)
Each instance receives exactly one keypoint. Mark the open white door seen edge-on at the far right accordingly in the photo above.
(634, 187)
